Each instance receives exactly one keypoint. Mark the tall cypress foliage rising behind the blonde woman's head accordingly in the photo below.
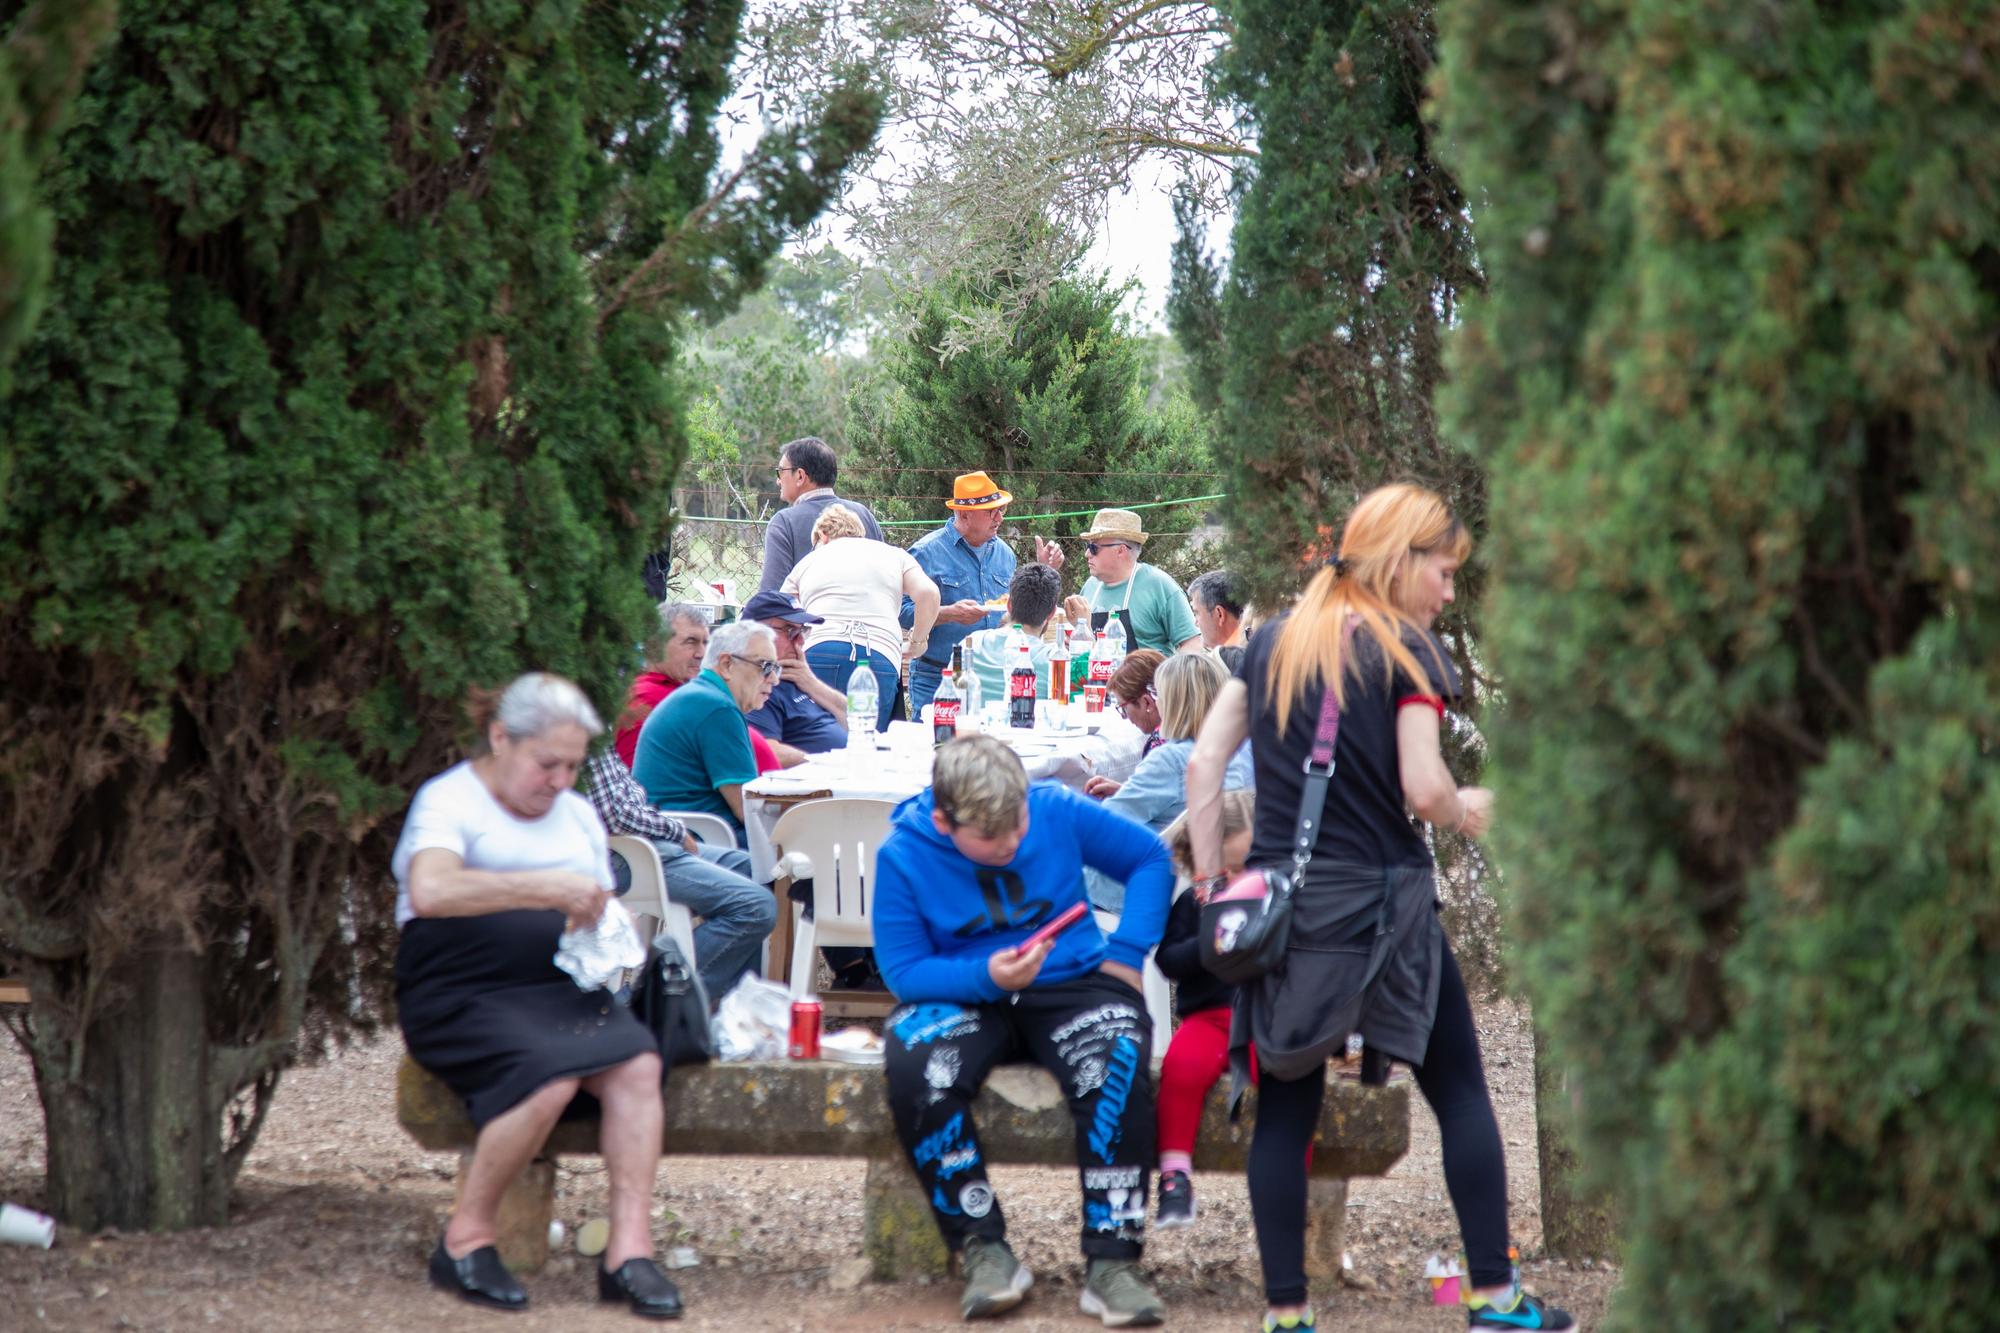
(1349, 253)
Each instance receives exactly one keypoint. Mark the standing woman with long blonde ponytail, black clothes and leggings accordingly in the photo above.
(1367, 954)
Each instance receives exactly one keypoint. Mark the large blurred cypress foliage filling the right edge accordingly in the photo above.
(1737, 393)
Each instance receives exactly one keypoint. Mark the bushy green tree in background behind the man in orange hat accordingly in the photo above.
(1051, 399)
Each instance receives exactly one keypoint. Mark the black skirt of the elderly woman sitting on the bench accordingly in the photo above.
(485, 1008)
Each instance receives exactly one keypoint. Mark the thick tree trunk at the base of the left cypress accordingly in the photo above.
(135, 1136)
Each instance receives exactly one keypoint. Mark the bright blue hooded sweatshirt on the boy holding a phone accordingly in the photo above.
(939, 916)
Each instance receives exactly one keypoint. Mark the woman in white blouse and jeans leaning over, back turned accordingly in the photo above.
(857, 587)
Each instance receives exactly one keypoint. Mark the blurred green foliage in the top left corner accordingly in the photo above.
(45, 51)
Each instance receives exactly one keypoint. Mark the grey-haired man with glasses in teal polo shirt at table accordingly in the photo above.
(695, 750)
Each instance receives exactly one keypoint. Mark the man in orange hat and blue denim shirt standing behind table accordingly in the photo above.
(971, 571)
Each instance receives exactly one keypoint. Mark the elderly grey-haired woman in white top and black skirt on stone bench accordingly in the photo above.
(497, 858)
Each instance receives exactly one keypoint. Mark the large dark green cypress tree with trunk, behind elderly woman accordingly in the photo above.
(353, 389)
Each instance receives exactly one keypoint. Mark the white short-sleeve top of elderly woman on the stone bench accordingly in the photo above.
(457, 814)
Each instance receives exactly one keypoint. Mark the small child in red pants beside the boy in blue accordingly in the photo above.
(1201, 1048)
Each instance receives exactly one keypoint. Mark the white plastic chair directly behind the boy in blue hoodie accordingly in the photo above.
(835, 844)
